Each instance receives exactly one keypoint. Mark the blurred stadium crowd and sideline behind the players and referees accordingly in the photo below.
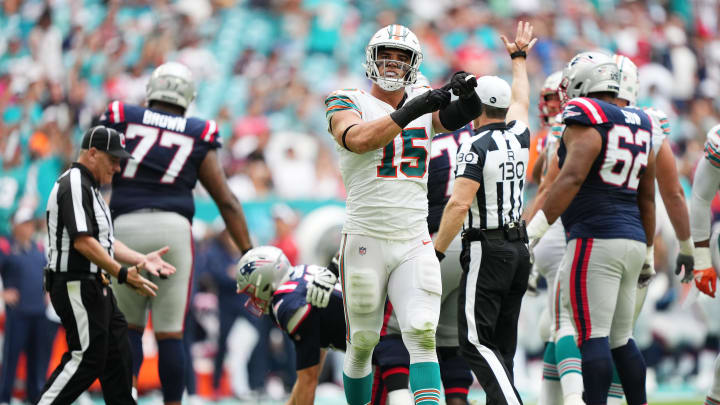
(263, 69)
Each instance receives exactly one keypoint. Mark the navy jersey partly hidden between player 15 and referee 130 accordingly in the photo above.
(441, 172)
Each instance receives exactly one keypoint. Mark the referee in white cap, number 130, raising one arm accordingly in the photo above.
(488, 191)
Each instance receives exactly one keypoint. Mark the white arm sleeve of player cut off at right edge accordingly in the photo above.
(705, 185)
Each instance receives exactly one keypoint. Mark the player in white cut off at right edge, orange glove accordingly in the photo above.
(705, 185)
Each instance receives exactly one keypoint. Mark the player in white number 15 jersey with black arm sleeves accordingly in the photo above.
(383, 136)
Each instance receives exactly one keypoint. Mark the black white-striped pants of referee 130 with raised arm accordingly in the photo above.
(495, 277)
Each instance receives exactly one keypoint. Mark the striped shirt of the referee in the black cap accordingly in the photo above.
(75, 208)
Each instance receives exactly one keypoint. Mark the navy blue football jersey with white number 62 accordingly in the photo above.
(606, 205)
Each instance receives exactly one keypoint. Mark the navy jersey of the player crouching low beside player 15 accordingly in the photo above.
(310, 328)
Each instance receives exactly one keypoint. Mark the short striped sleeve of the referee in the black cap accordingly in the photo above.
(75, 205)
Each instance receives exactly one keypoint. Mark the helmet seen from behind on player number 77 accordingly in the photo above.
(172, 83)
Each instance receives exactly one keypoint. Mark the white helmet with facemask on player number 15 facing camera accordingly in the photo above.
(398, 37)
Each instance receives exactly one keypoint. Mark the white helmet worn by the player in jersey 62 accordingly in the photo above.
(589, 72)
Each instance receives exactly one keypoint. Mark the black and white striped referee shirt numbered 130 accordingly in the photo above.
(497, 158)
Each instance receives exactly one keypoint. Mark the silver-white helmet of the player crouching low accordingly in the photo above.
(259, 274)
